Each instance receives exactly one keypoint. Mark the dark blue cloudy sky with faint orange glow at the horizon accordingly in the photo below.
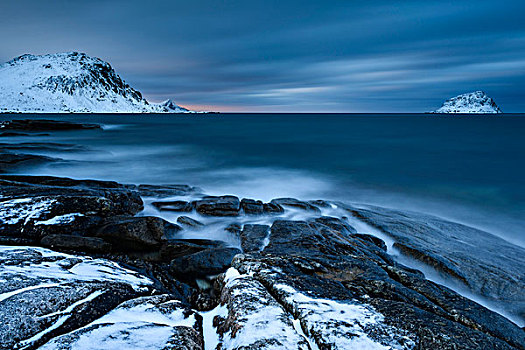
(288, 55)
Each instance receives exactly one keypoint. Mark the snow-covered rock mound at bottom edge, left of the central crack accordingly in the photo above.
(154, 322)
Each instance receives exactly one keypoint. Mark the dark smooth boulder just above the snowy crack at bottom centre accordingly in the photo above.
(207, 262)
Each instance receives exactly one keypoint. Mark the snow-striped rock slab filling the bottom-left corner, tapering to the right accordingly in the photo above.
(44, 293)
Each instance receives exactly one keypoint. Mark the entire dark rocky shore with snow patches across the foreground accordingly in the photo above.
(92, 264)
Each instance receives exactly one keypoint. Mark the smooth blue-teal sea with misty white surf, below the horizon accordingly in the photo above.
(467, 168)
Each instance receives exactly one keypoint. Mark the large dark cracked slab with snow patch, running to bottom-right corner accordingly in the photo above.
(345, 293)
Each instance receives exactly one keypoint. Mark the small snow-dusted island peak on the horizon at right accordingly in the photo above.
(474, 103)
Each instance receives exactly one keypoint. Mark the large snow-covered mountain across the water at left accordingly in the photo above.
(70, 83)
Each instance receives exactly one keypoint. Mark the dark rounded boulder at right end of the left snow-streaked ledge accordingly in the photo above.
(133, 233)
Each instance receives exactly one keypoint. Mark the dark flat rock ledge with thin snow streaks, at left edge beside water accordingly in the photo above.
(35, 206)
